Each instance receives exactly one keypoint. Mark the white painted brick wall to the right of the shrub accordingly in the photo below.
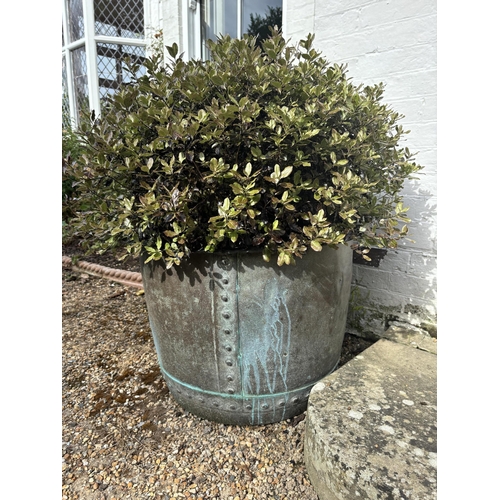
(394, 42)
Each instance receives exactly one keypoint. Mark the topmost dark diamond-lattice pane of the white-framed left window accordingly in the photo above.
(122, 18)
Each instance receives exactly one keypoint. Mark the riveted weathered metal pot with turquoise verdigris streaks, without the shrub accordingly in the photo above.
(242, 341)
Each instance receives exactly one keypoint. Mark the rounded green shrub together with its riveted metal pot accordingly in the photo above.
(243, 183)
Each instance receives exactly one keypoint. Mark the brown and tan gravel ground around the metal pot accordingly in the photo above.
(123, 435)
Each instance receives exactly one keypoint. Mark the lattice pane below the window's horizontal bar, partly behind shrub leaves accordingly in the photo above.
(111, 66)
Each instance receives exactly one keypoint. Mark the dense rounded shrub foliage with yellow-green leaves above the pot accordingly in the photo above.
(270, 148)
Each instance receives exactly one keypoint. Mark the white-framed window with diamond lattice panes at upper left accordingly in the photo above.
(97, 36)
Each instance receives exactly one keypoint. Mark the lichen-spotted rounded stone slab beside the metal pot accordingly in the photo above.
(371, 427)
